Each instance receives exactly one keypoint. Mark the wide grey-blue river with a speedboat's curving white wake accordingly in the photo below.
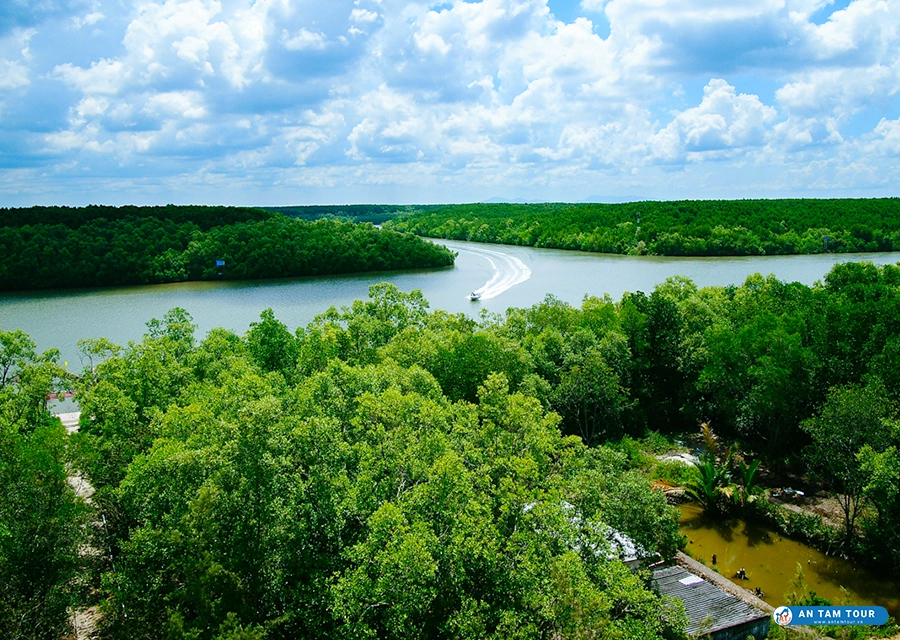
(506, 277)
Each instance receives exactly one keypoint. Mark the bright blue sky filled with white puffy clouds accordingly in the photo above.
(286, 102)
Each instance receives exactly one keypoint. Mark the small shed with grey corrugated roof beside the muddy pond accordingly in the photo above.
(711, 612)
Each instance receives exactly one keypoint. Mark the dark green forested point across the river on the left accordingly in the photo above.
(59, 247)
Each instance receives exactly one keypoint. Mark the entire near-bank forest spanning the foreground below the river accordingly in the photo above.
(388, 471)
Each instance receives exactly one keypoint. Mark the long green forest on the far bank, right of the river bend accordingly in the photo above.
(682, 228)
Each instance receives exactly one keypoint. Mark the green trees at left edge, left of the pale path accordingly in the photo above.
(40, 517)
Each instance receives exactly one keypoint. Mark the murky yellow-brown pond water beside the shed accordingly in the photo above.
(770, 561)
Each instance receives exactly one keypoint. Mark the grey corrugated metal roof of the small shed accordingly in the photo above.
(708, 608)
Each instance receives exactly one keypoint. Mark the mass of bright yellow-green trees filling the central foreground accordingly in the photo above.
(248, 498)
